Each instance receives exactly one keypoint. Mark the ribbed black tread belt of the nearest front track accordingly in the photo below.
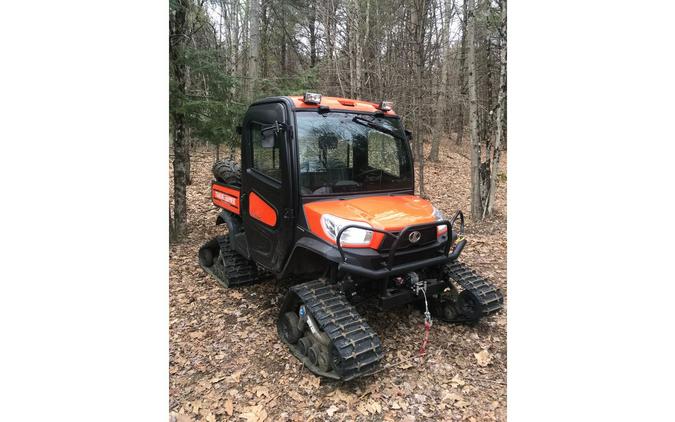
(357, 344)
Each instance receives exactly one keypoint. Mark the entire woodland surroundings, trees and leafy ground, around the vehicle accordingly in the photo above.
(443, 65)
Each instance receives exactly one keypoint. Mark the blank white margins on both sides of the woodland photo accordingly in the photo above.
(84, 301)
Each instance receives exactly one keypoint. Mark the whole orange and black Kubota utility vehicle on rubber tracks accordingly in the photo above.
(325, 196)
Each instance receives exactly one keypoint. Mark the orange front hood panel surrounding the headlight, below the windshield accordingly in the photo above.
(390, 213)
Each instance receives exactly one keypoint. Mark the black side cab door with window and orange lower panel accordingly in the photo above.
(267, 191)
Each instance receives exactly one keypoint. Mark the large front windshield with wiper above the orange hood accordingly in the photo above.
(338, 153)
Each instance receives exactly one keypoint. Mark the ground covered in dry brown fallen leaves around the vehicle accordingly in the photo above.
(227, 363)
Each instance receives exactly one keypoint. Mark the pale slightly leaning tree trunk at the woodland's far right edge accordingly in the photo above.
(501, 113)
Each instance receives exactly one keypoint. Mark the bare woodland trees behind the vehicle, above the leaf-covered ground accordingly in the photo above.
(442, 63)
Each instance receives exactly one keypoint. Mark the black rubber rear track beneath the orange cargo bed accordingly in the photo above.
(232, 269)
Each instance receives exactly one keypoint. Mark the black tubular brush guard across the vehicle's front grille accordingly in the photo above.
(391, 269)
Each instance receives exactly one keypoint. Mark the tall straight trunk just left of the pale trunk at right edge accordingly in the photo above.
(476, 203)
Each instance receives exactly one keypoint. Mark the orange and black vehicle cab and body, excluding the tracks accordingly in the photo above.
(315, 165)
